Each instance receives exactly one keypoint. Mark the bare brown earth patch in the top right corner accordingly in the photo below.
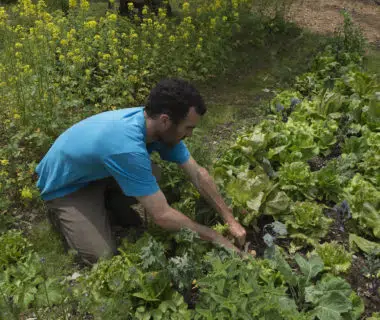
(324, 16)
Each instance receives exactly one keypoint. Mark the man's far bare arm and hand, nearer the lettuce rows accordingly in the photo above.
(207, 188)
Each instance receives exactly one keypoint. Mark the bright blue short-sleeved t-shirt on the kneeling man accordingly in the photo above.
(108, 144)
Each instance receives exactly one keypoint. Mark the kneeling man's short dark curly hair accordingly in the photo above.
(174, 97)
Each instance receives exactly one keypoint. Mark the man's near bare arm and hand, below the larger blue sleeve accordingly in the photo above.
(170, 219)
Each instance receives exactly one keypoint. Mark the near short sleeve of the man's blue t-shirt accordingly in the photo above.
(133, 172)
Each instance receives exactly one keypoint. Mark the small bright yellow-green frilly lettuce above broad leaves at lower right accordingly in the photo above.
(335, 258)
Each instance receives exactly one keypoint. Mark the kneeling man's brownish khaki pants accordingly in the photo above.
(84, 217)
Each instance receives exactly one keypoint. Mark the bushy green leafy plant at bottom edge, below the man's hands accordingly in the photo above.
(233, 289)
